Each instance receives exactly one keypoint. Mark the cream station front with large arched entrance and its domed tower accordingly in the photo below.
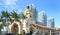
(24, 25)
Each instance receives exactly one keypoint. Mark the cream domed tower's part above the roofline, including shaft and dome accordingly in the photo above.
(29, 15)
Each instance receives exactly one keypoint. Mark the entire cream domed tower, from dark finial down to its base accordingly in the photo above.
(29, 18)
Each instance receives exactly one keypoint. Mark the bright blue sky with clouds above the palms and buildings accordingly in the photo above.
(52, 7)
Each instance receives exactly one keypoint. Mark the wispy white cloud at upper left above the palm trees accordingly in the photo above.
(12, 5)
